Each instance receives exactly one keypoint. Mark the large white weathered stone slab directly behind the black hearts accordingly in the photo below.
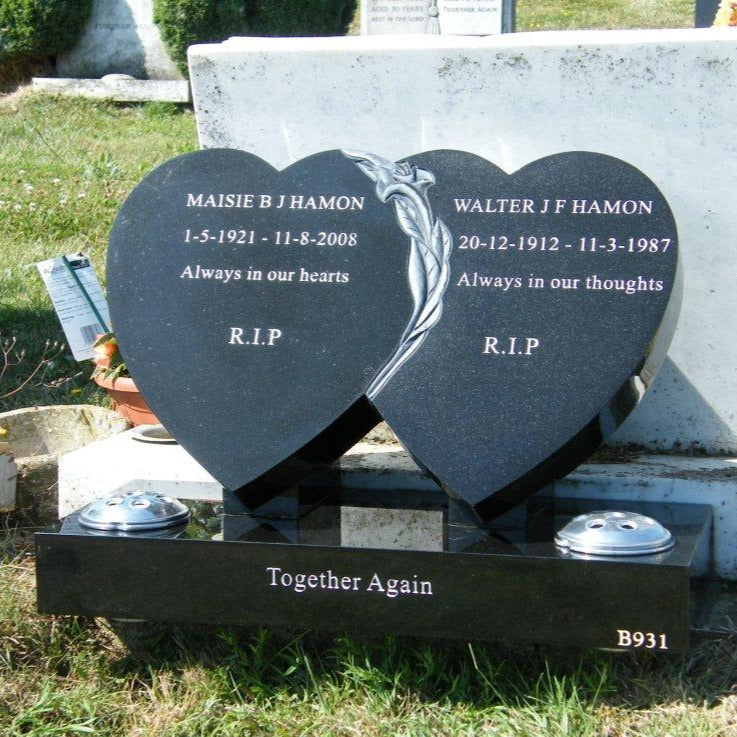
(664, 101)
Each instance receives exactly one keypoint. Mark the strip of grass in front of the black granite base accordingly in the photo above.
(71, 676)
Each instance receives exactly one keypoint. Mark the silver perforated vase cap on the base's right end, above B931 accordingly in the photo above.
(614, 534)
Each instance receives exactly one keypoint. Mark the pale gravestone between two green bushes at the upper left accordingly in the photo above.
(120, 38)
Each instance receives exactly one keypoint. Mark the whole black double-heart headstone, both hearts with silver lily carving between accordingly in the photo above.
(502, 324)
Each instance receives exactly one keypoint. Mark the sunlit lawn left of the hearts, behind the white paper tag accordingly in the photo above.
(66, 167)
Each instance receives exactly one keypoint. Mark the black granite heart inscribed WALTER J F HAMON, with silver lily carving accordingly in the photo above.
(561, 299)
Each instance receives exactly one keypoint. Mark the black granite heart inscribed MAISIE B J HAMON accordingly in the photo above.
(253, 308)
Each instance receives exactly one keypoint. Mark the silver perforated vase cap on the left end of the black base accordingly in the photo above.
(131, 511)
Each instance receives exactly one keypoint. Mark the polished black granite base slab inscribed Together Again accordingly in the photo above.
(506, 582)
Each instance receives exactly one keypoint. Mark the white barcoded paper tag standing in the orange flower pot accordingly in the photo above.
(67, 288)
